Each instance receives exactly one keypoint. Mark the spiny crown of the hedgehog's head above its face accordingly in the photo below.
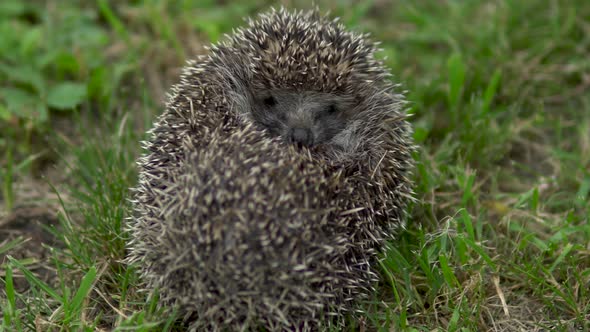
(302, 51)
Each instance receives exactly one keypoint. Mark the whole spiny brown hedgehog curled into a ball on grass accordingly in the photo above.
(269, 185)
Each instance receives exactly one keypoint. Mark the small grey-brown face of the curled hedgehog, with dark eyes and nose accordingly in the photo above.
(301, 118)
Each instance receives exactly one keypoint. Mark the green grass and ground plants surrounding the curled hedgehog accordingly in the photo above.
(500, 238)
